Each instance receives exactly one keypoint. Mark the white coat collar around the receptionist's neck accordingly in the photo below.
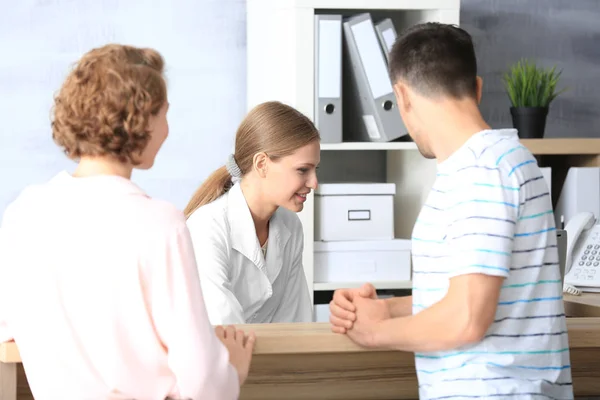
(243, 234)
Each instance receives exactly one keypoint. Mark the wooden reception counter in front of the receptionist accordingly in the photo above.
(307, 361)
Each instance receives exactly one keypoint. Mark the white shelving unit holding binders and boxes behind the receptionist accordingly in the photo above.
(280, 66)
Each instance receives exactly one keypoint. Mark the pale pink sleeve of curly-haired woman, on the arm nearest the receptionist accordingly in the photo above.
(196, 356)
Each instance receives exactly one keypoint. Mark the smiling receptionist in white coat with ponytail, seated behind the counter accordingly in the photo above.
(247, 237)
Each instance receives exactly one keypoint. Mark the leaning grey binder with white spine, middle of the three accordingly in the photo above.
(371, 107)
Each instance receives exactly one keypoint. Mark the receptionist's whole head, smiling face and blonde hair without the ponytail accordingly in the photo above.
(277, 149)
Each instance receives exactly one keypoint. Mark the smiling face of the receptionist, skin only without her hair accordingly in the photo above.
(289, 179)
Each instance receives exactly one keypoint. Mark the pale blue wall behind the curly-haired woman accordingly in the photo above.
(203, 43)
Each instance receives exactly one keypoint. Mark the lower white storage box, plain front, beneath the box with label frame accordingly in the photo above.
(362, 261)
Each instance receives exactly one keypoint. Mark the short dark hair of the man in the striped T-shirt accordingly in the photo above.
(435, 59)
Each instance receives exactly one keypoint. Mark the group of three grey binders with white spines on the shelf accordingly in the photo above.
(369, 112)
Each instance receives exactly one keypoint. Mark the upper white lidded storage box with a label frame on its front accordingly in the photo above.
(354, 211)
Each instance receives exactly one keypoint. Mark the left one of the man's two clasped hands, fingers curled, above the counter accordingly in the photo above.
(343, 311)
